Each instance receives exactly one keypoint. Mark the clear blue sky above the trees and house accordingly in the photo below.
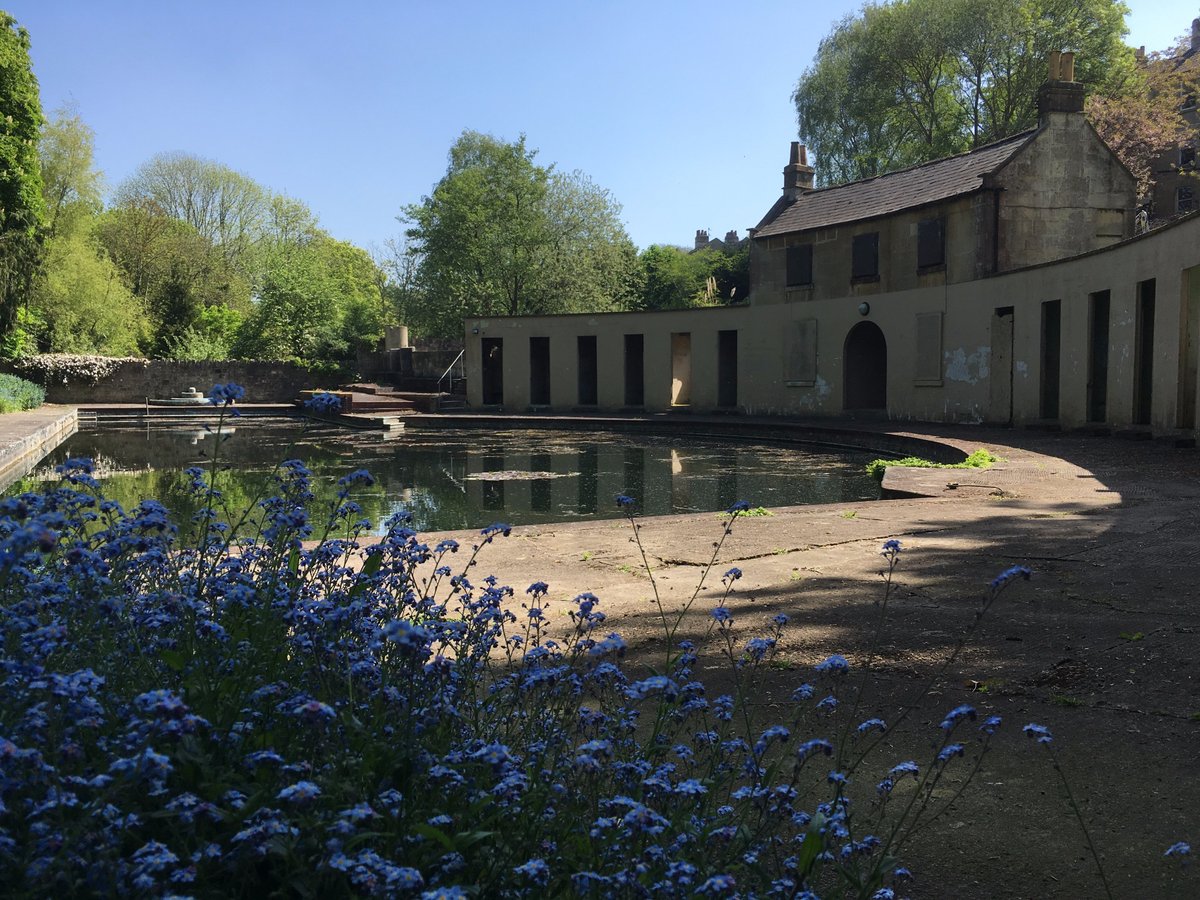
(681, 110)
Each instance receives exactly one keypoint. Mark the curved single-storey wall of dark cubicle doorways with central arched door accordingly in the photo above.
(1109, 338)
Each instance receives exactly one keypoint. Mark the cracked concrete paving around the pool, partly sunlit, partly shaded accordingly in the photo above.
(1102, 645)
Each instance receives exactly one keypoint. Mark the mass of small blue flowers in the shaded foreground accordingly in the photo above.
(340, 718)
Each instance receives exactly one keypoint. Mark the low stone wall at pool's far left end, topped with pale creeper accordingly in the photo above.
(135, 381)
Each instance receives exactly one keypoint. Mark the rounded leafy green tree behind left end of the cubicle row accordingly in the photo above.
(502, 236)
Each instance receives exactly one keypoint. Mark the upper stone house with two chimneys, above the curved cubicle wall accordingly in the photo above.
(1047, 194)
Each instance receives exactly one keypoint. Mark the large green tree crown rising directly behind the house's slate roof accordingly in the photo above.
(913, 81)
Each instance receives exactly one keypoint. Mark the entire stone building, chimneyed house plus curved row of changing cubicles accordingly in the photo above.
(1001, 286)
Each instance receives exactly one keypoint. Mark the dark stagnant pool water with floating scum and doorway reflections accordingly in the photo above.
(469, 478)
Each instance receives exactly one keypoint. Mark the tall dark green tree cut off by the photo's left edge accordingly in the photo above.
(21, 182)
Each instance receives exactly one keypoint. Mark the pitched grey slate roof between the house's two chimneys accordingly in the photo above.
(928, 183)
